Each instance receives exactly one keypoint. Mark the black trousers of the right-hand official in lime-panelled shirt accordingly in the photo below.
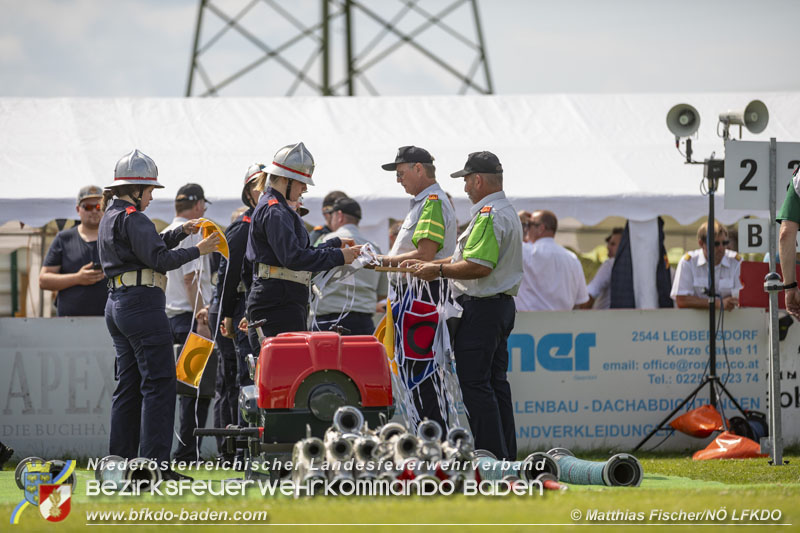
(481, 353)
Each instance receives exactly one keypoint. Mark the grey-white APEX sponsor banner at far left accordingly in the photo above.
(56, 384)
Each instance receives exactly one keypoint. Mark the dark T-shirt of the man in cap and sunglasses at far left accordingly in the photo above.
(71, 253)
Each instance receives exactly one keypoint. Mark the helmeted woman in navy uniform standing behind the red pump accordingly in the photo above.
(280, 250)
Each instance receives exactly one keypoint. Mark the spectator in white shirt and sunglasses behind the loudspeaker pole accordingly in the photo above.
(690, 288)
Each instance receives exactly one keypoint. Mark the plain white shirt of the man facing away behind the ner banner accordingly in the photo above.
(552, 278)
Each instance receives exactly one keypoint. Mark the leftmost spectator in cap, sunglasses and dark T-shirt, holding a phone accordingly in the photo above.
(72, 265)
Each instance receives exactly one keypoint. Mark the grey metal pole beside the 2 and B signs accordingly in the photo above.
(774, 341)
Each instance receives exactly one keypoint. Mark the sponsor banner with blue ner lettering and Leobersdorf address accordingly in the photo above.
(605, 379)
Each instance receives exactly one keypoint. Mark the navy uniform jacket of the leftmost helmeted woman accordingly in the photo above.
(127, 240)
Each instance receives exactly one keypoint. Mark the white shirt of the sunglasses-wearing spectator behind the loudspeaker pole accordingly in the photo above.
(691, 276)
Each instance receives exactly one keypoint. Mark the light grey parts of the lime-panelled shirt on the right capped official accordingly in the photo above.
(506, 275)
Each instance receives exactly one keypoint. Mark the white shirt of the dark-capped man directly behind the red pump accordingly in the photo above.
(368, 283)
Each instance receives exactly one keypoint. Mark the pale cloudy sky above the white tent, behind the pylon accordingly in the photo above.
(130, 48)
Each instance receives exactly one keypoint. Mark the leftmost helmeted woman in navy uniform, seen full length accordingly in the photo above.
(135, 259)
